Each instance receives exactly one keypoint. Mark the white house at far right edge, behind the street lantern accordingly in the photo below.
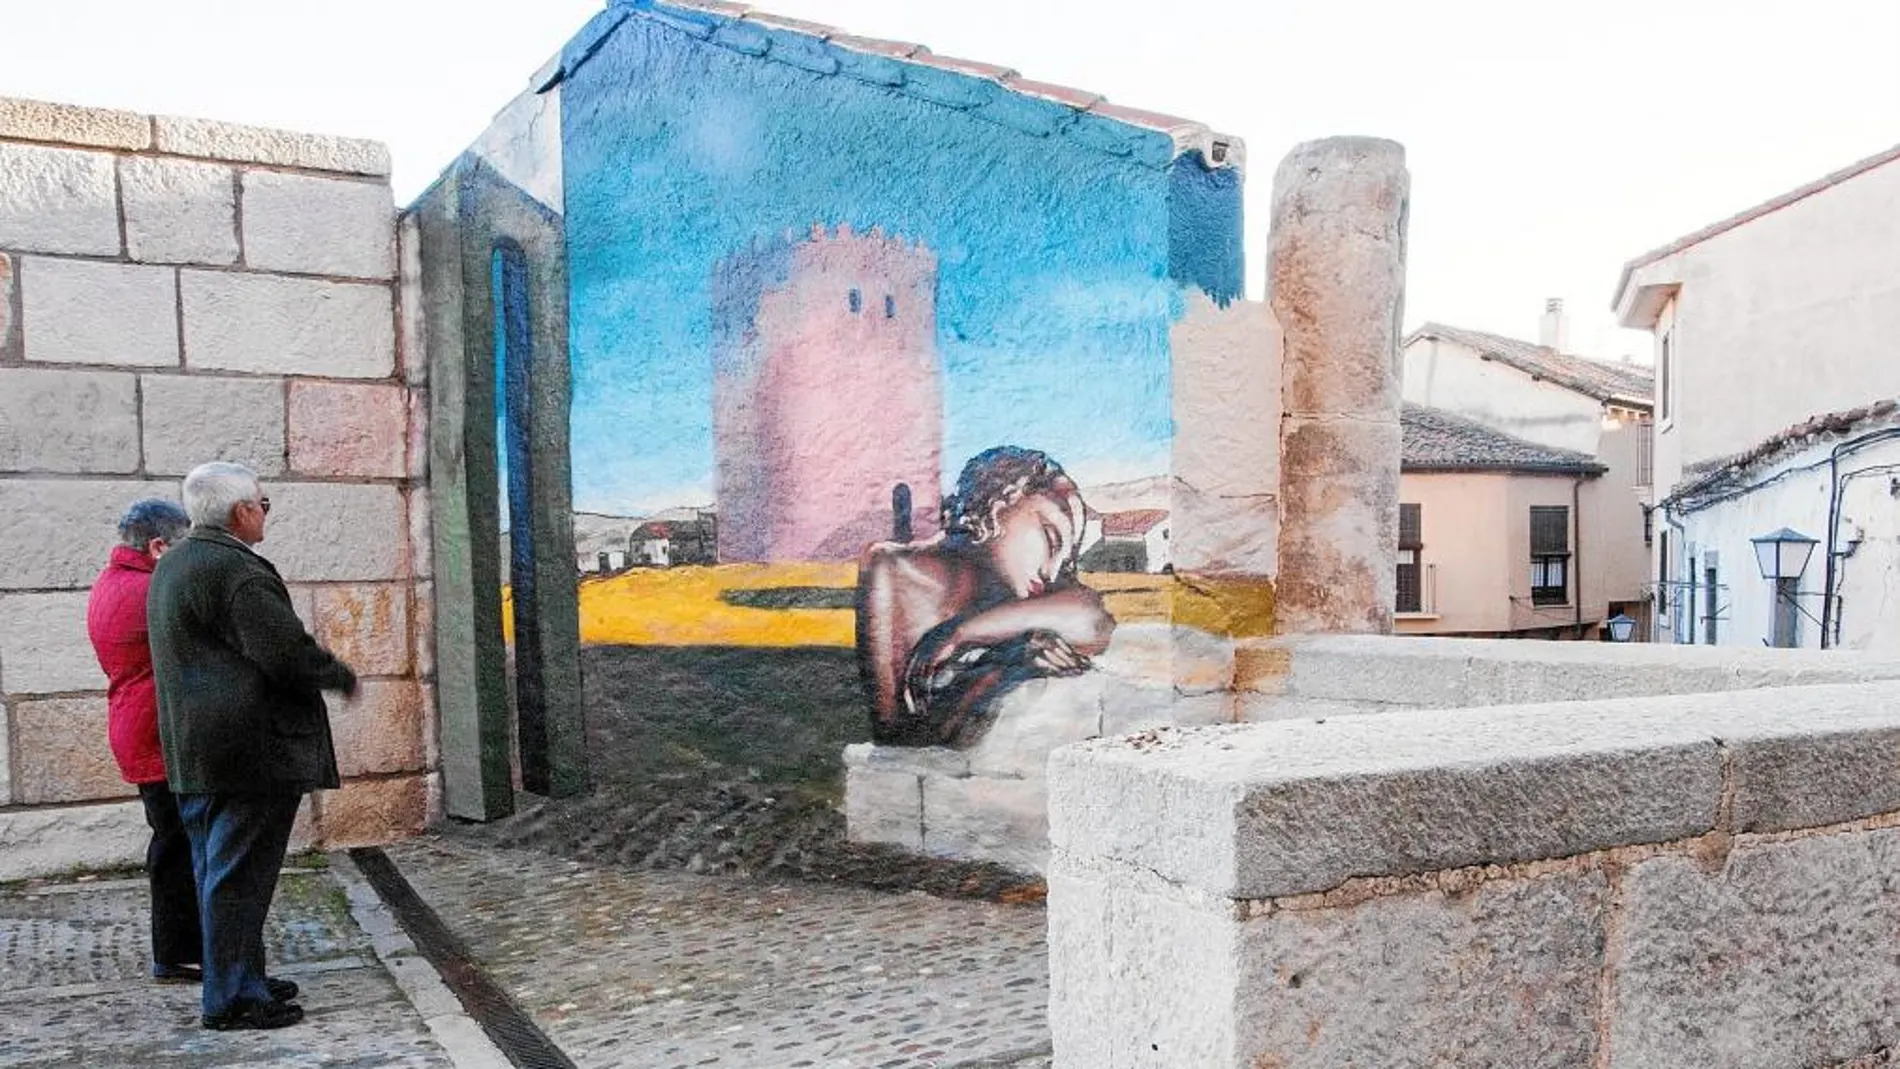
(1777, 348)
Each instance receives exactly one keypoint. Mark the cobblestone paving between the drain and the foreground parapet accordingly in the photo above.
(664, 969)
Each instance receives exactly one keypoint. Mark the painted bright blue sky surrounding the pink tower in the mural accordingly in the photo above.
(1054, 288)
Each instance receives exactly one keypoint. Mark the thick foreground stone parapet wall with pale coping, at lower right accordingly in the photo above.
(1667, 882)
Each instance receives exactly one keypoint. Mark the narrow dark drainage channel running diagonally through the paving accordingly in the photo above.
(525, 1045)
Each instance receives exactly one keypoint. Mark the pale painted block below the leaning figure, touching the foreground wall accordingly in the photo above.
(1002, 821)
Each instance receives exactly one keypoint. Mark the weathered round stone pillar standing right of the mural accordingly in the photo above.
(1337, 272)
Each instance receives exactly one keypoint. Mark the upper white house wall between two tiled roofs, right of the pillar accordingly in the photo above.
(1456, 379)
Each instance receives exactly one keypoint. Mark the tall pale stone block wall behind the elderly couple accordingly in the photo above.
(176, 291)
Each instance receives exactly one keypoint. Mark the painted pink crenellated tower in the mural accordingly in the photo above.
(827, 396)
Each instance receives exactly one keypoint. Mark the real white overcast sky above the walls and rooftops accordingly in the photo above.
(1548, 141)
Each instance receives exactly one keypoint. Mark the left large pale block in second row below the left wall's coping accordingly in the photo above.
(79, 312)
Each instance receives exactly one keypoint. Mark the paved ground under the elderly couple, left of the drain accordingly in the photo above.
(75, 992)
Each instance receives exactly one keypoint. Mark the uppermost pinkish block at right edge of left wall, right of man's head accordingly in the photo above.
(349, 430)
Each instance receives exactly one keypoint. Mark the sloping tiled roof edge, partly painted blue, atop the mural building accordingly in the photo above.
(989, 92)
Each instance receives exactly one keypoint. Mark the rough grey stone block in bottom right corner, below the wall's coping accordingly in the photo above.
(1785, 956)
